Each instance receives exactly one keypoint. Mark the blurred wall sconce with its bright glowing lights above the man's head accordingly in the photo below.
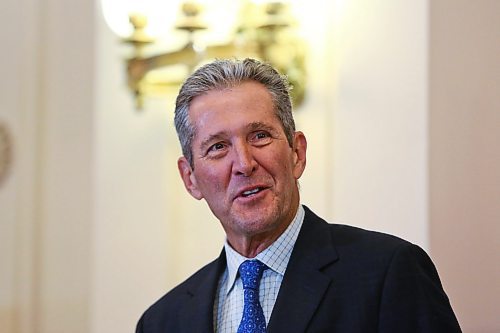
(260, 29)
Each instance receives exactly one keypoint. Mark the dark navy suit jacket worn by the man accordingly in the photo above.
(339, 279)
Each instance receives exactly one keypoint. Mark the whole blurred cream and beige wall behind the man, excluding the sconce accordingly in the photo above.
(403, 123)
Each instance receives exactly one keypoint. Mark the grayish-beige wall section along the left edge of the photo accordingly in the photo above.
(45, 211)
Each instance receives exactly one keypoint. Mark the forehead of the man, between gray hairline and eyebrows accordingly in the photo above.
(232, 108)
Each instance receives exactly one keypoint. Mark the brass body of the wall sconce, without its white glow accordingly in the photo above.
(264, 31)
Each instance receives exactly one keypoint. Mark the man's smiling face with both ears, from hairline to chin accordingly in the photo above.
(243, 165)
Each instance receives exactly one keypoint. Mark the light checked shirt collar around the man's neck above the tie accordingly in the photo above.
(276, 256)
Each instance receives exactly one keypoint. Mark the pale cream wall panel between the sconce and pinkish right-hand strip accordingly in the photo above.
(380, 117)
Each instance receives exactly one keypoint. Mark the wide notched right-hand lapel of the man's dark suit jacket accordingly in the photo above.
(304, 284)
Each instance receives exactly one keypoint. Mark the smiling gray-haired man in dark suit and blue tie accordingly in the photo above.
(282, 269)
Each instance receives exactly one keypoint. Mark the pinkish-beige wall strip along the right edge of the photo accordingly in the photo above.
(464, 158)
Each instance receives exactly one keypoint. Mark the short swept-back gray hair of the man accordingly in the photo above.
(222, 74)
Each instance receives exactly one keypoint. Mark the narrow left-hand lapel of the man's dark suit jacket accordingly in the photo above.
(199, 310)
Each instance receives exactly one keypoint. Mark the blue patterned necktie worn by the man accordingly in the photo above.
(253, 320)
